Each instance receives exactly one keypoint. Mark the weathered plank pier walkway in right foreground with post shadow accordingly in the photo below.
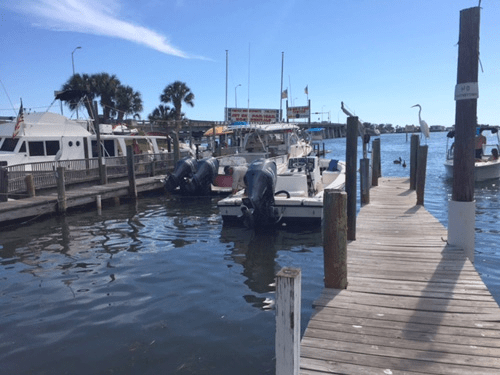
(414, 305)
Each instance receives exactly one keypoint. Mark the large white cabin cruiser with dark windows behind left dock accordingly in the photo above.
(49, 137)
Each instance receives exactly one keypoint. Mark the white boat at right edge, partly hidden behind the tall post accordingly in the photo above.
(487, 167)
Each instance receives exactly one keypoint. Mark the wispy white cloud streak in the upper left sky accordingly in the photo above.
(99, 17)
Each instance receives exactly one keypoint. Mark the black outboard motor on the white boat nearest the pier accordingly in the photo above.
(258, 207)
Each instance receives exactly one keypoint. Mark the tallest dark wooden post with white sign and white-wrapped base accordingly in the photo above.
(461, 215)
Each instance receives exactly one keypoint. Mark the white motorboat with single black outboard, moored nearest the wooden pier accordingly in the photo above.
(295, 195)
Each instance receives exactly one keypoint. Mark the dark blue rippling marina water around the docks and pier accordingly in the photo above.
(162, 287)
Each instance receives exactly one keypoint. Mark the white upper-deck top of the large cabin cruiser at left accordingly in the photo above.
(46, 124)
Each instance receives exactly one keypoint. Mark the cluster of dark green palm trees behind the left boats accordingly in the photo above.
(118, 100)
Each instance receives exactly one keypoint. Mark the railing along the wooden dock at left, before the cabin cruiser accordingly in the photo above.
(85, 171)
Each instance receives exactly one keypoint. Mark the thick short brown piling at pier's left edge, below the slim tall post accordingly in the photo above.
(335, 238)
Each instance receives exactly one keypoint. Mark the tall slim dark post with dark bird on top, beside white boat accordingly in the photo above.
(351, 168)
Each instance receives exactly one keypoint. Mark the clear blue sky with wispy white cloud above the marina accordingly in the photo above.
(379, 57)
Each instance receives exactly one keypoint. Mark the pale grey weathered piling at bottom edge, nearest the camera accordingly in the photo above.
(288, 296)
